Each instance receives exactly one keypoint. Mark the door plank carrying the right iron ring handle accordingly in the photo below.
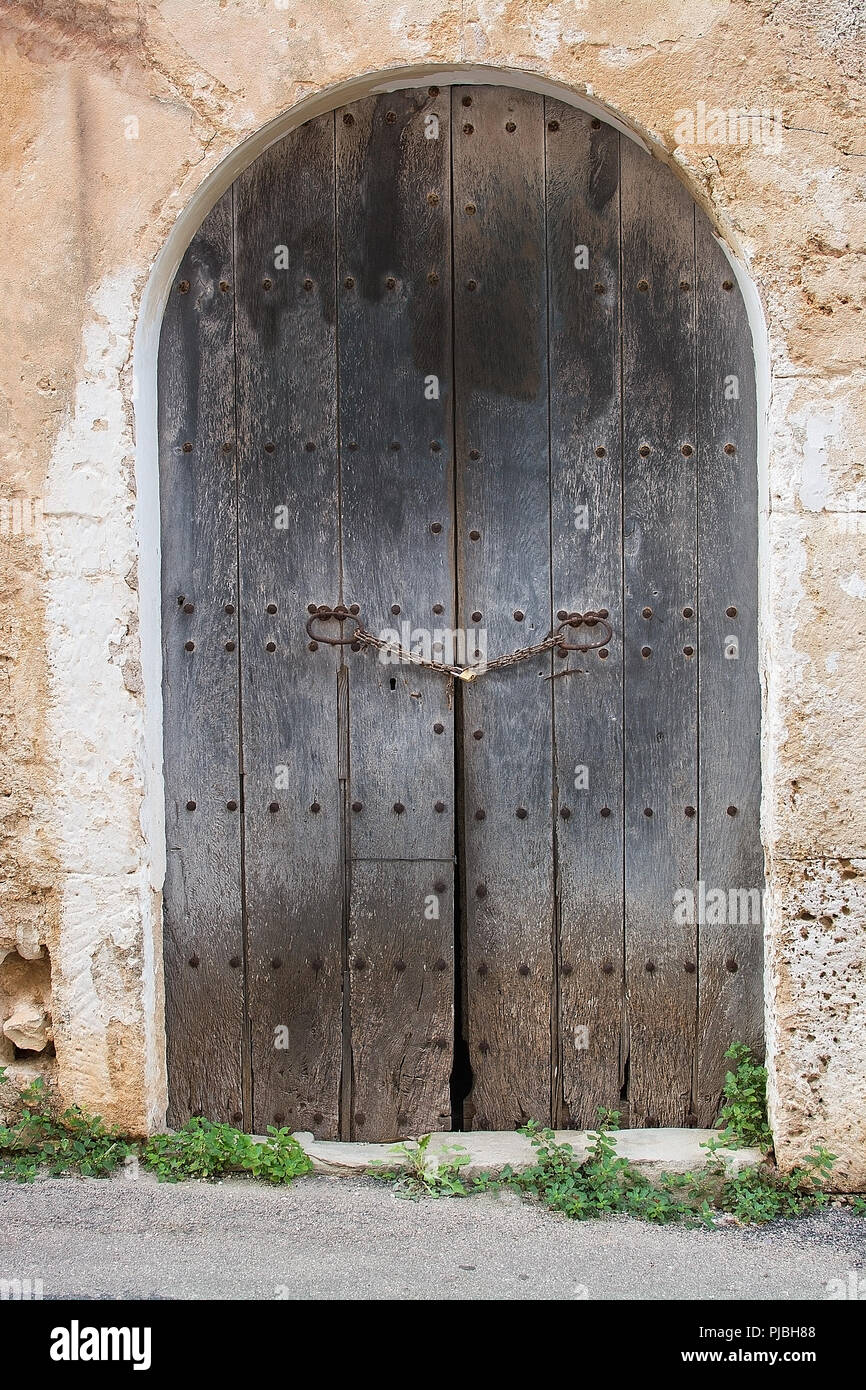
(583, 190)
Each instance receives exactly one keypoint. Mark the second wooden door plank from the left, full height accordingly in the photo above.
(290, 558)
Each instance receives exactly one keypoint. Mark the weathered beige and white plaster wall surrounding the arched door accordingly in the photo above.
(115, 116)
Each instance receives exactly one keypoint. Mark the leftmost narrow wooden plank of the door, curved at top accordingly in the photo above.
(204, 939)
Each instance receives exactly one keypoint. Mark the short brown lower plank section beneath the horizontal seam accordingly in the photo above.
(401, 960)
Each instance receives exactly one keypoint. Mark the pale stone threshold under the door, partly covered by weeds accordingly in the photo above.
(651, 1152)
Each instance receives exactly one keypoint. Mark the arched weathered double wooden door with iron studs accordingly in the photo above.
(465, 358)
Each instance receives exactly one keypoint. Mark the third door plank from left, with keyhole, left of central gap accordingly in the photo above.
(395, 422)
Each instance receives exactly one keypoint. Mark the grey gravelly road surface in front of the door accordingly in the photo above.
(354, 1239)
